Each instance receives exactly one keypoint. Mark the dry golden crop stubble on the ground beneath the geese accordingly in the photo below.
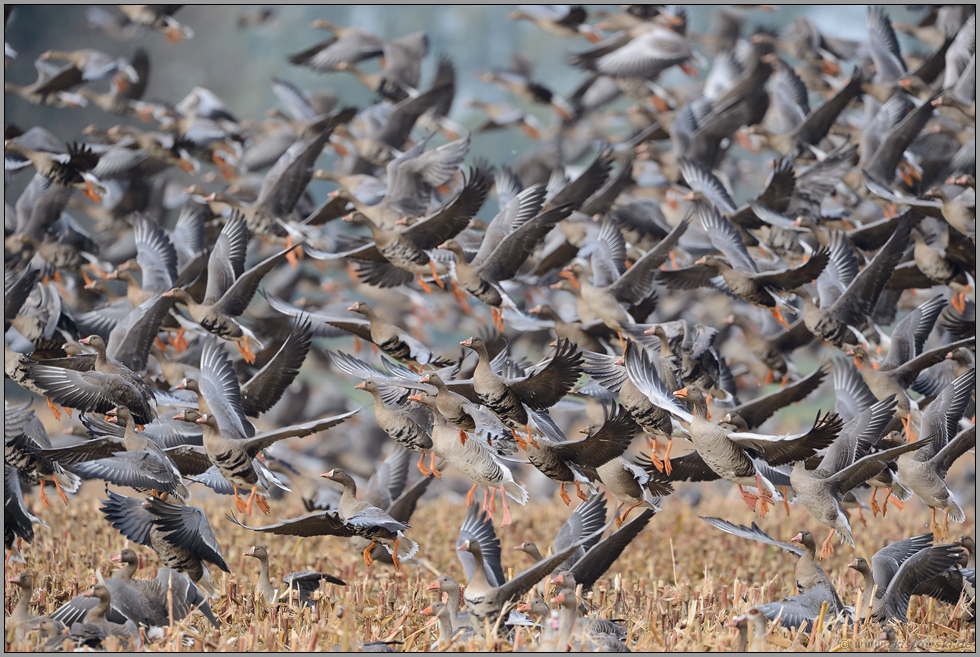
(676, 586)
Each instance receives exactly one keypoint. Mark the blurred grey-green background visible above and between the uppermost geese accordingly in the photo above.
(235, 56)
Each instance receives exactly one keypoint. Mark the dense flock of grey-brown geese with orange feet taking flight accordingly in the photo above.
(614, 246)
